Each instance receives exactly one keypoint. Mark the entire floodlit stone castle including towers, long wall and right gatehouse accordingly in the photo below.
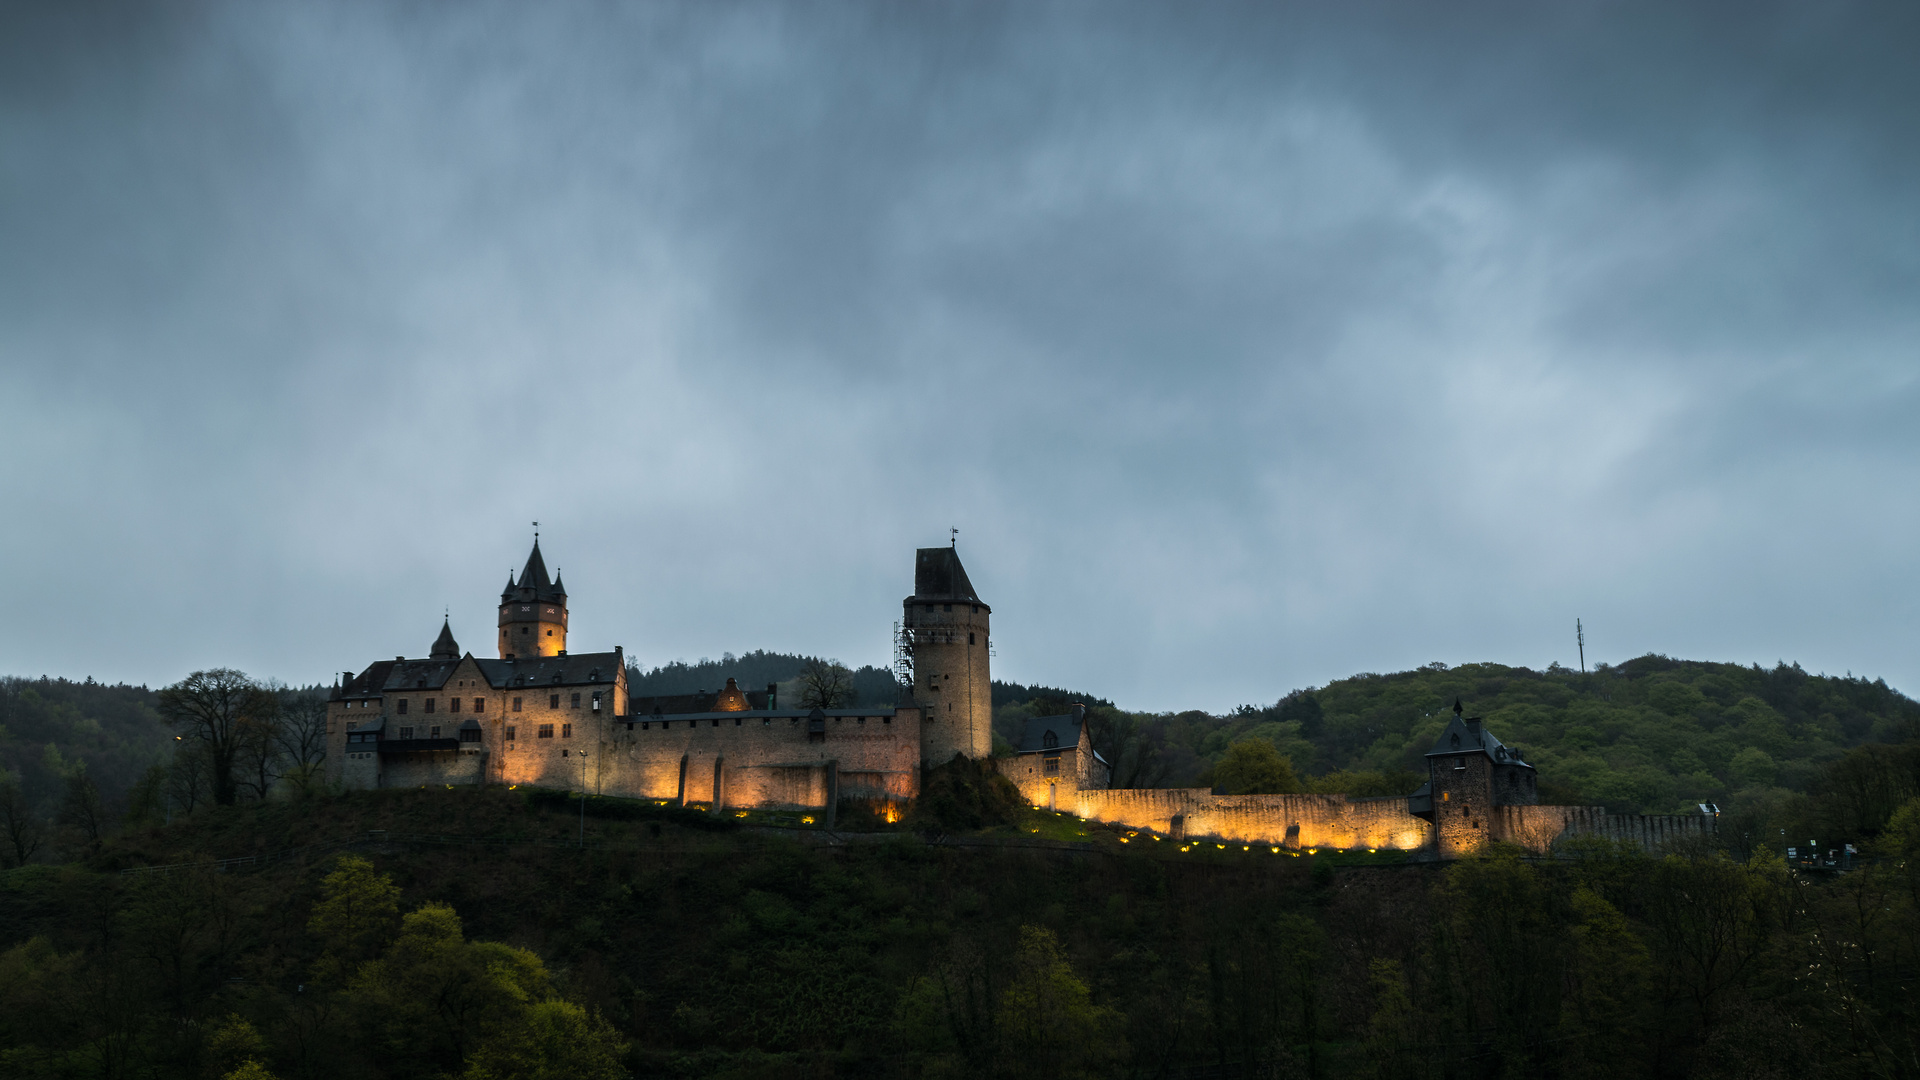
(544, 716)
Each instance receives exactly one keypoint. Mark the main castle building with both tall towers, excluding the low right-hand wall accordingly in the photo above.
(540, 714)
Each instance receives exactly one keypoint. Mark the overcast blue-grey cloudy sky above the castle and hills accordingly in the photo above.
(1247, 347)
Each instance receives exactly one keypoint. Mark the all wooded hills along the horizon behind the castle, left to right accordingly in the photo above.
(1650, 735)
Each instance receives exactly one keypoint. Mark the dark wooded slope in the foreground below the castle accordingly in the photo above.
(698, 954)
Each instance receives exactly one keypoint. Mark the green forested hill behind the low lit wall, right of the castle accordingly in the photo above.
(1652, 735)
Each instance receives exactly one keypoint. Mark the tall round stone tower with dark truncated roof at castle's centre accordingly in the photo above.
(946, 637)
